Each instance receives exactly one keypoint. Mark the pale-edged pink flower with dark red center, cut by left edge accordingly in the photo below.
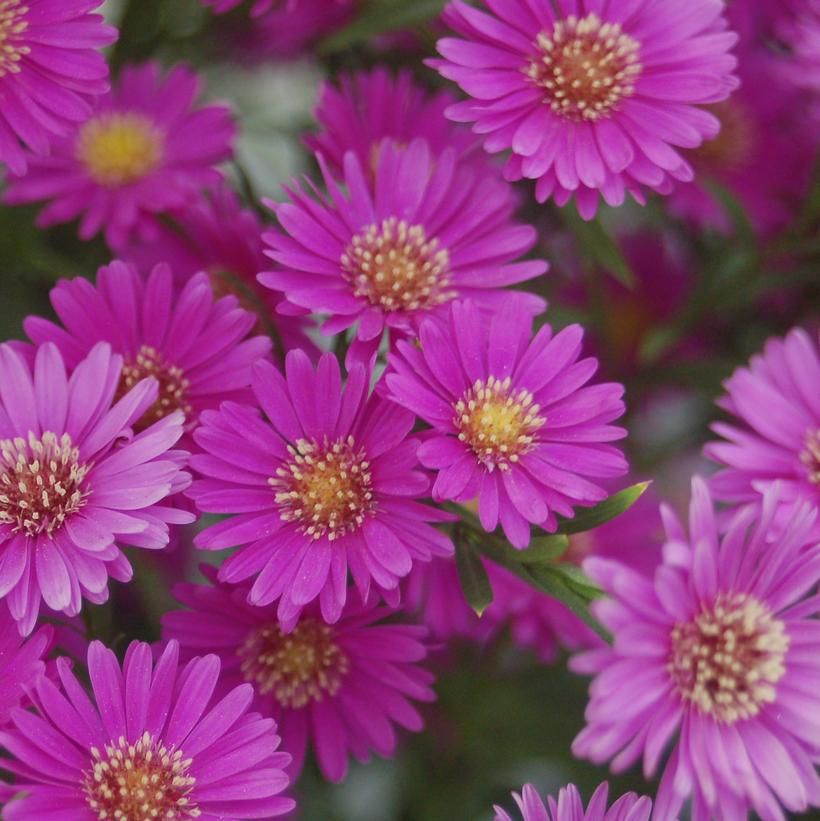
(75, 482)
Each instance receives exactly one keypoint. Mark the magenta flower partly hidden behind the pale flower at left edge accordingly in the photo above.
(194, 345)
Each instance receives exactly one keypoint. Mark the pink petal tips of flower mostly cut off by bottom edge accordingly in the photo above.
(570, 807)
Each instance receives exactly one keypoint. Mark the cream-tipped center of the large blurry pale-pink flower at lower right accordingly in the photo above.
(729, 658)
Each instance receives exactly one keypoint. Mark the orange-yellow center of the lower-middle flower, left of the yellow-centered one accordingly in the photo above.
(326, 488)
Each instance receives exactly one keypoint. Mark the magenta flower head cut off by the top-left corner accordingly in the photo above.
(50, 72)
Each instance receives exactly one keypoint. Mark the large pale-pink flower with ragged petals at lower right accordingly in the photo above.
(718, 654)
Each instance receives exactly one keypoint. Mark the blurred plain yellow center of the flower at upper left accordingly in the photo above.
(117, 149)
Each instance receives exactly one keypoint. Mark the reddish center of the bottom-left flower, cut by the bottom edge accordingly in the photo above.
(144, 781)
